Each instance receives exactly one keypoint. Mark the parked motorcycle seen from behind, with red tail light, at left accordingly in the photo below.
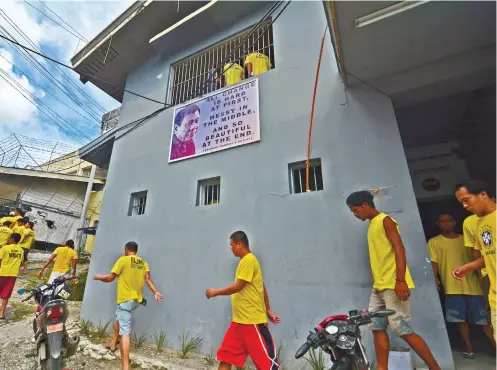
(49, 325)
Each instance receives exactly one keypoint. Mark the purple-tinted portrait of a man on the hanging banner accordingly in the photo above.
(186, 124)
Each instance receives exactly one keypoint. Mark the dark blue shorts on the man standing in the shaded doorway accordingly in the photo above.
(466, 308)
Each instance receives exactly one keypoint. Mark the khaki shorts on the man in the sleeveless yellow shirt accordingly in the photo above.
(400, 322)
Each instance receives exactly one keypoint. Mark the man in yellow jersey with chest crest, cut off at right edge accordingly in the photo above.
(476, 198)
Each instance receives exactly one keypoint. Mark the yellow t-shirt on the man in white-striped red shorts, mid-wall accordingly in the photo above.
(248, 304)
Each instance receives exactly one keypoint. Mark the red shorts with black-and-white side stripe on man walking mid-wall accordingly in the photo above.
(254, 340)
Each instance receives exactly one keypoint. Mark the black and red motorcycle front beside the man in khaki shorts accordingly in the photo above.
(340, 337)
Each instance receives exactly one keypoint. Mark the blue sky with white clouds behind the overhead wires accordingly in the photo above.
(65, 110)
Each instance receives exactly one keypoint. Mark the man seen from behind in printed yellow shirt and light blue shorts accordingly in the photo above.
(131, 272)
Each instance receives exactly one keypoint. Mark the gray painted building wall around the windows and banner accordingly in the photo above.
(312, 250)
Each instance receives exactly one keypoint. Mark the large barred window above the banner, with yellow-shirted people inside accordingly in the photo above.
(205, 71)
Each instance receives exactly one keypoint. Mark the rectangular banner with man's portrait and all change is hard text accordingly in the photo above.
(220, 120)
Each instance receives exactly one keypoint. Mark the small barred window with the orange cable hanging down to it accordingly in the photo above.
(297, 176)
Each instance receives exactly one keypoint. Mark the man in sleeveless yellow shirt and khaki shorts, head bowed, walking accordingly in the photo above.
(392, 281)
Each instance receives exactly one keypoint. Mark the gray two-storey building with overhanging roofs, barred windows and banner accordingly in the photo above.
(198, 156)
